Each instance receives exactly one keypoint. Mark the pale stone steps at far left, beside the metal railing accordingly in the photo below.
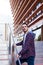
(4, 54)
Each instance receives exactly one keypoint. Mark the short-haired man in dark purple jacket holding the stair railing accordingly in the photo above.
(27, 54)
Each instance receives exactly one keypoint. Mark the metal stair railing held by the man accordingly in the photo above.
(11, 56)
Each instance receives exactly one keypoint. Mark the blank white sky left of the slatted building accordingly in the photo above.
(5, 12)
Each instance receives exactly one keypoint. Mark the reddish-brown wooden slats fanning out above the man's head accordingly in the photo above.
(22, 10)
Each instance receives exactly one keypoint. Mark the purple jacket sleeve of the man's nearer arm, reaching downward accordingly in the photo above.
(27, 45)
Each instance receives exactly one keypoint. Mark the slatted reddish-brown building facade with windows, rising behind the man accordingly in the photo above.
(30, 11)
